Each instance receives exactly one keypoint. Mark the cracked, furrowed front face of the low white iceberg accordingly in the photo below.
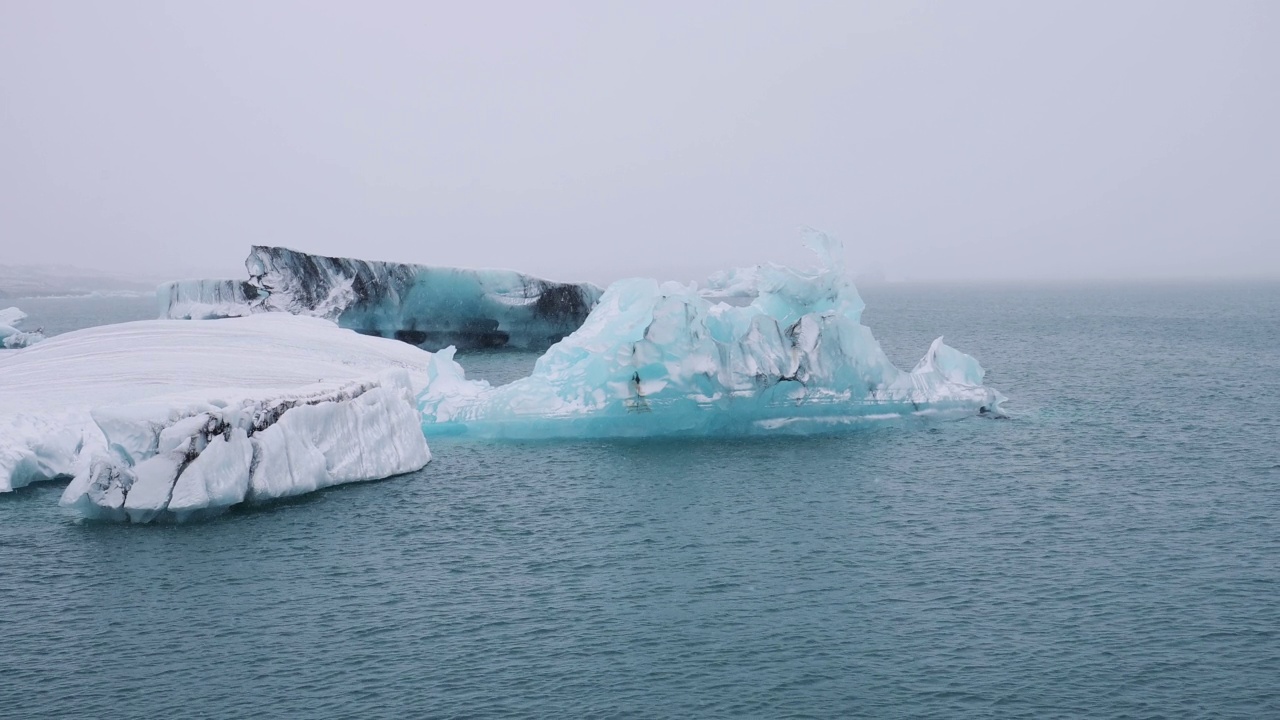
(184, 458)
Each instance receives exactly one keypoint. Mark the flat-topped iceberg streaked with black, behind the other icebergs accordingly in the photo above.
(423, 306)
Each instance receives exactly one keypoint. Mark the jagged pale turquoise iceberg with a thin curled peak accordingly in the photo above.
(762, 350)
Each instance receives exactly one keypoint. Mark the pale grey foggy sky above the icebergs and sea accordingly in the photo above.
(593, 140)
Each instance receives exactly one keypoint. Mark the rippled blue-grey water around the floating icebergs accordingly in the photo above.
(1112, 552)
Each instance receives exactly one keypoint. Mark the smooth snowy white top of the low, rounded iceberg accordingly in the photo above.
(51, 391)
